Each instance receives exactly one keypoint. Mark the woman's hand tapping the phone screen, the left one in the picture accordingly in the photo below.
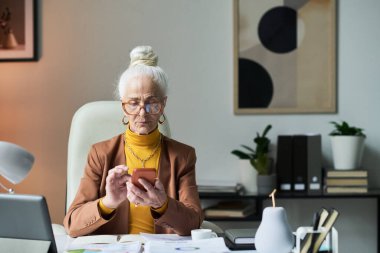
(116, 188)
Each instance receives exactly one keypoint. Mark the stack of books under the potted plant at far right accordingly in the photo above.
(346, 181)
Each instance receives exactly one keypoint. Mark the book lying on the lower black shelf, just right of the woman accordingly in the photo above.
(234, 209)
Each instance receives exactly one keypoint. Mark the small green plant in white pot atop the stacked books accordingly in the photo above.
(347, 146)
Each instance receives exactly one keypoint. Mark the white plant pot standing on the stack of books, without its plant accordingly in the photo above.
(347, 151)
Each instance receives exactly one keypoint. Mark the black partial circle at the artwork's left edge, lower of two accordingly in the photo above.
(255, 85)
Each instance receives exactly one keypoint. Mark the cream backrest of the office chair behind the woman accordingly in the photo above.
(92, 123)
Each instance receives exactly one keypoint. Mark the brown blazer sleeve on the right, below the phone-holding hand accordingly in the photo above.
(184, 214)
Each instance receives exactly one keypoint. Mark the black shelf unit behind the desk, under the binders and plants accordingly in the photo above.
(259, 200)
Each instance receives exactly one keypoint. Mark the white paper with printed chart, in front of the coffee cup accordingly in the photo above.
(213, 245)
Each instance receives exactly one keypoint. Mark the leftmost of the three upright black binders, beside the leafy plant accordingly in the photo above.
(284, 163)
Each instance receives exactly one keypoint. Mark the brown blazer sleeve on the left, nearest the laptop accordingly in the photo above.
(83, 216)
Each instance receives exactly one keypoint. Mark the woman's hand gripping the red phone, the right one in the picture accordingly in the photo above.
(154, 196)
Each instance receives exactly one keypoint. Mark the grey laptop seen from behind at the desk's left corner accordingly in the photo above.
(26, 217)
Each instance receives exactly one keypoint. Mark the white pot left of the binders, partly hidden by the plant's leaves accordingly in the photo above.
(248, 176)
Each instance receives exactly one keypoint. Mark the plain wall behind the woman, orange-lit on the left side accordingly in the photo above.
(85, 47)
